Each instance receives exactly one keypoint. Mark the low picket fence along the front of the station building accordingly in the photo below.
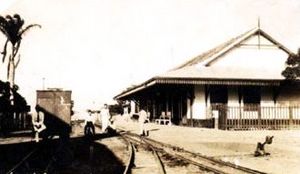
(257, 117)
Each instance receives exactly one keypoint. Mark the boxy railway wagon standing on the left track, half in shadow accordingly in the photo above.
(57, 107)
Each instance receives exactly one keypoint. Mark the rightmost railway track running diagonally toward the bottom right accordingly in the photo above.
(204, 163)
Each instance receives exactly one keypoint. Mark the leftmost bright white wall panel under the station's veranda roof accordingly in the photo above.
(199, 108)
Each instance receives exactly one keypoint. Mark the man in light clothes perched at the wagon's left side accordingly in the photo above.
(38, 123)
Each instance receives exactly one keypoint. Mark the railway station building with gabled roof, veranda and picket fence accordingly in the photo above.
(236, 85)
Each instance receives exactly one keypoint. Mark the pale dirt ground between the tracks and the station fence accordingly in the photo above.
(235, 146)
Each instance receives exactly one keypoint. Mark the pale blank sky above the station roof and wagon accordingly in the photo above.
(98, 48)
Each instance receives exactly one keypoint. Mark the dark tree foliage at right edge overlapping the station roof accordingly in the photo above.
(292, 71)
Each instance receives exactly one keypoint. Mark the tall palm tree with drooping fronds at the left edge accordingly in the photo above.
(12, 28)
